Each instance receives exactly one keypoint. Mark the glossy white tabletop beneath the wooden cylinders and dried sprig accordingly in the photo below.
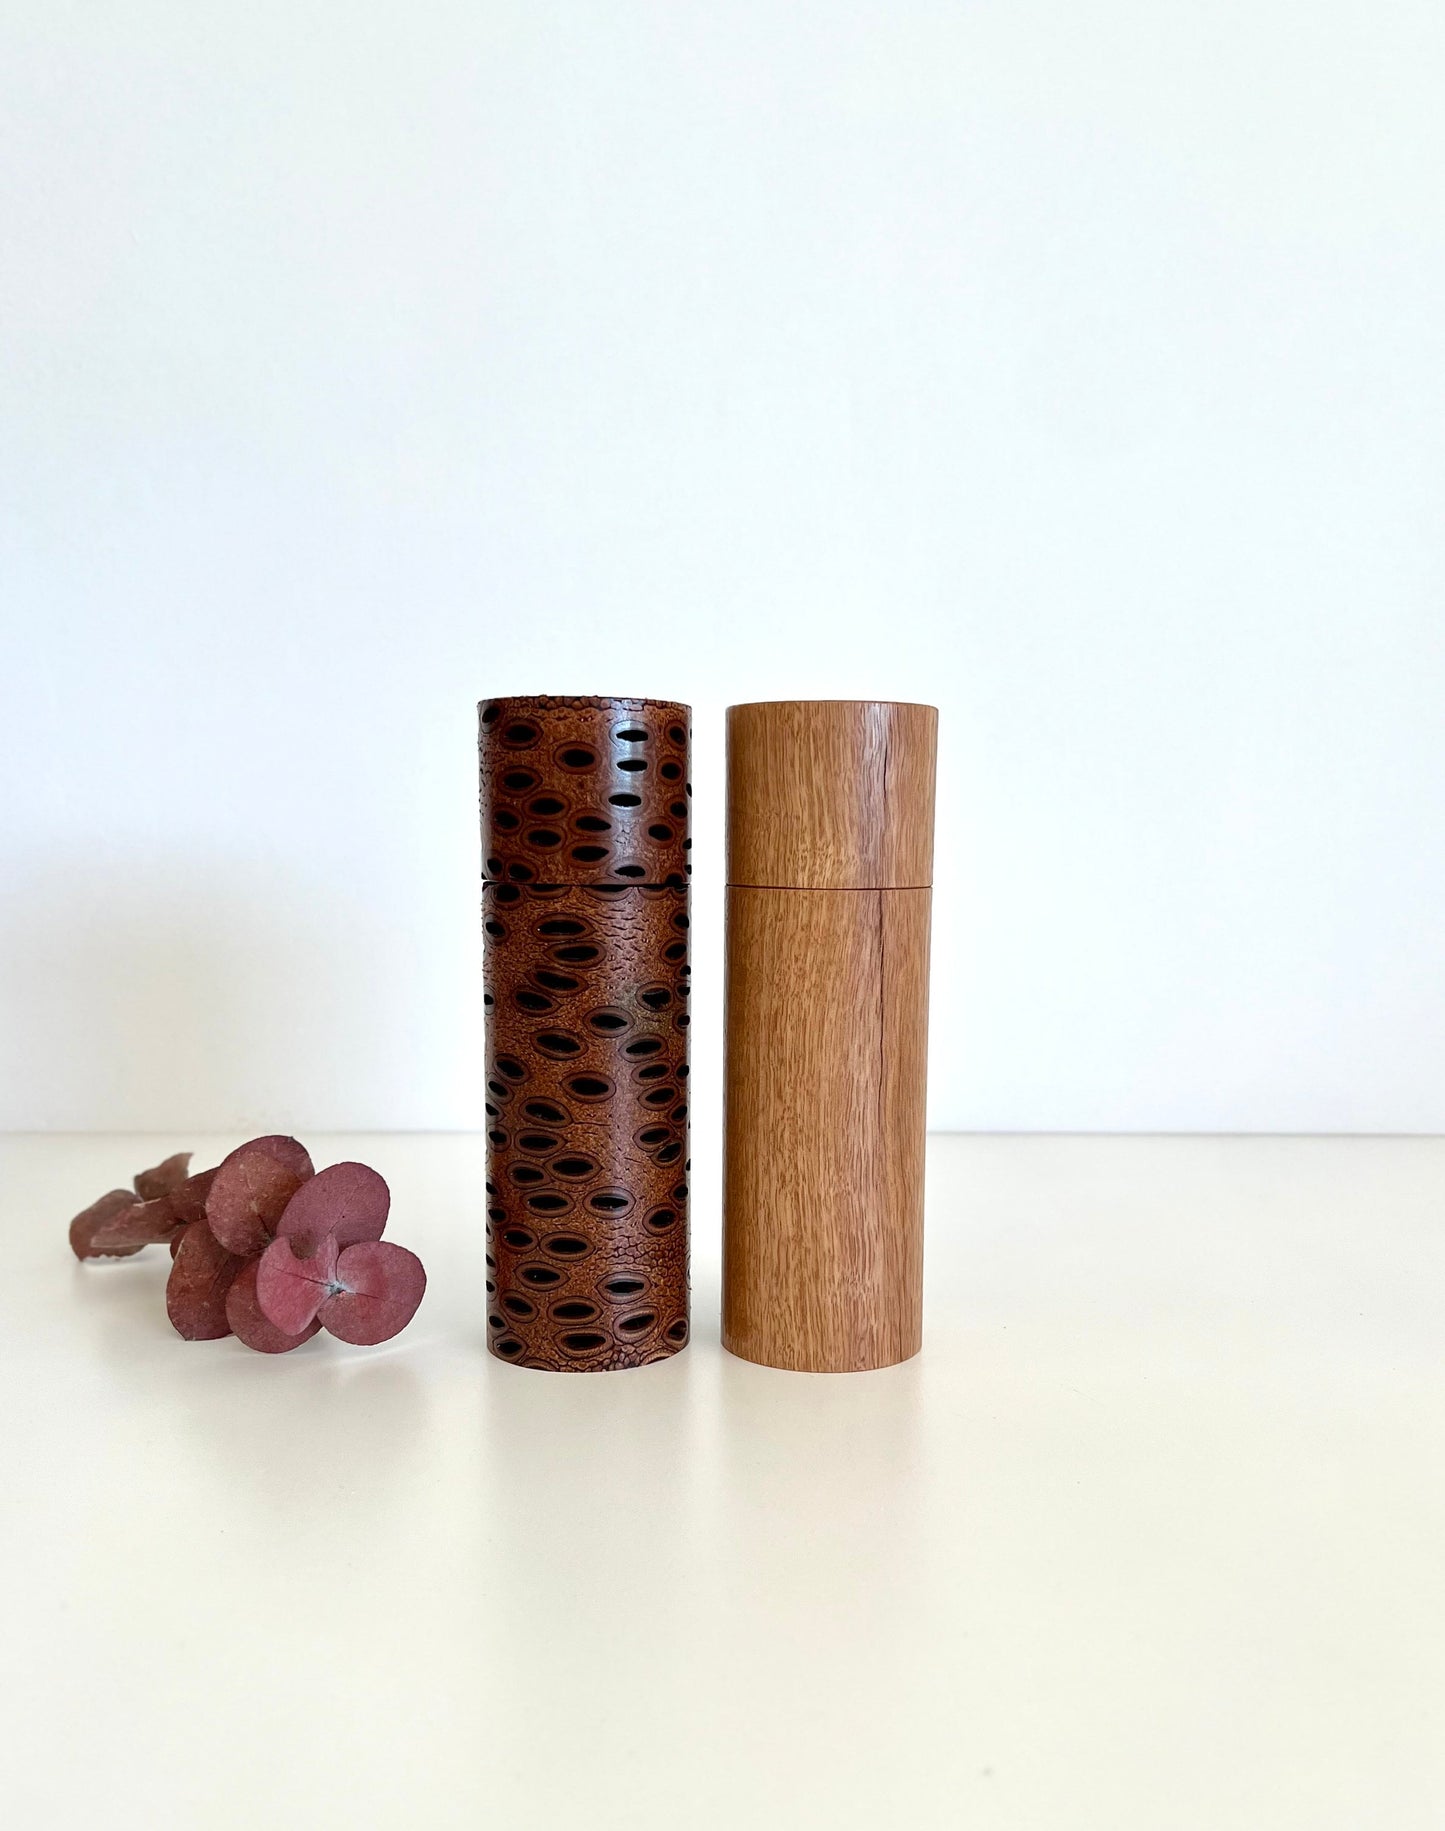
(1153, 1533)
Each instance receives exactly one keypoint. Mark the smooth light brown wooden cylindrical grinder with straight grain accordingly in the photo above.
(831, 825)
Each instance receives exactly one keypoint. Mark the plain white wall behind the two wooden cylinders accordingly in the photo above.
(1072, 367)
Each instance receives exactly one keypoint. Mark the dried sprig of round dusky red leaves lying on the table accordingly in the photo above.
(265, 1248)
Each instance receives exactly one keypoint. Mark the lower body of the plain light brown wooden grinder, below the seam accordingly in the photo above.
(827, 1070)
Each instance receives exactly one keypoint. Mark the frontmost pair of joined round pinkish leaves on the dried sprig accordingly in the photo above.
(364, 1294)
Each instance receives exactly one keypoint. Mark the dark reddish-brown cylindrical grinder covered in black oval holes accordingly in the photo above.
(585, 821)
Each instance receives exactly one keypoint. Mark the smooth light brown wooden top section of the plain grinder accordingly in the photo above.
(831, 794)
